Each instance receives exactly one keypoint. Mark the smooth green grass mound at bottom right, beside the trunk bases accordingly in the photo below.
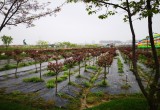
(123, 104)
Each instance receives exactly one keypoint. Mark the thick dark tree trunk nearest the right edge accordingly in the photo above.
(152, 92)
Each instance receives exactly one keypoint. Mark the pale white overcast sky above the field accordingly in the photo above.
(73, 24)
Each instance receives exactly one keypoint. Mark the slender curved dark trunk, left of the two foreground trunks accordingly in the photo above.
(135, 72)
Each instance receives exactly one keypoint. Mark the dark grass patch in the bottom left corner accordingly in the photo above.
(24, 101)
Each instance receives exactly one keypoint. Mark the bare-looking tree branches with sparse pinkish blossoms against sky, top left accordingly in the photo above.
(14, 12)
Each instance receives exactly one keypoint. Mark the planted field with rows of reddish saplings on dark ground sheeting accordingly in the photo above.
(71, 78)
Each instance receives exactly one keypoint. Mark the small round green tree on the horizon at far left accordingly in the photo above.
(6, 40)
